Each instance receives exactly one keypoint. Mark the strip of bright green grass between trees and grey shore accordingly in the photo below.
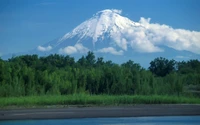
(82, 99)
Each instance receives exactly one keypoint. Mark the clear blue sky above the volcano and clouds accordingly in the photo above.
(25, 24)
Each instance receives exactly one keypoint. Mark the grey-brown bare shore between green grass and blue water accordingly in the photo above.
(95, 112)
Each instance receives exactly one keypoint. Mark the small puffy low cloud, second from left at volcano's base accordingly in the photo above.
(74, 49)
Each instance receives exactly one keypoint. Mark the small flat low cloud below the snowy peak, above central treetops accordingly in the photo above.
(111, 50)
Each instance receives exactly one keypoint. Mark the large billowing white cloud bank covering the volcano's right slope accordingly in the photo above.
(147, 37)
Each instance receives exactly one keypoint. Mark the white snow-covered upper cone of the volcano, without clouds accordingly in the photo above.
(104, 22)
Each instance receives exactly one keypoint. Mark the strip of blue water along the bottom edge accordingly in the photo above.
(167, 120)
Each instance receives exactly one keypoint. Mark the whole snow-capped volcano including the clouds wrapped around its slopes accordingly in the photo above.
(108, 33)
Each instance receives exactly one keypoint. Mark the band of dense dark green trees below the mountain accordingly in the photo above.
(31, 75)
